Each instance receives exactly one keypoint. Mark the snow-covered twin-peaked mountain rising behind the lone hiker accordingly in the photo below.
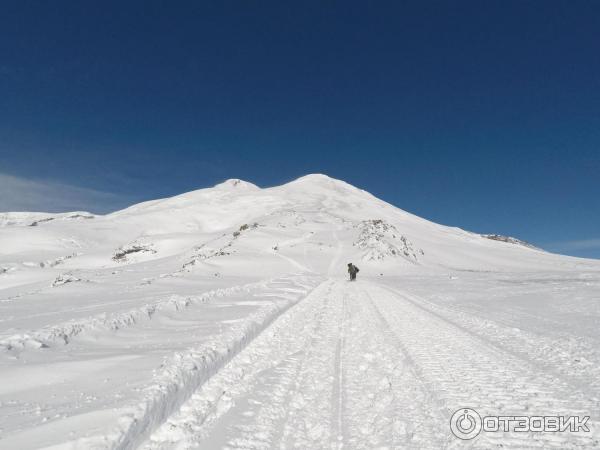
(306, 223)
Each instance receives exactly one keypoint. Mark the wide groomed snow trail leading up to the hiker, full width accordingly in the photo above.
(360, 366)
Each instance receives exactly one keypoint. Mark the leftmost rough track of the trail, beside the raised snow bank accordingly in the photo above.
(256, 388)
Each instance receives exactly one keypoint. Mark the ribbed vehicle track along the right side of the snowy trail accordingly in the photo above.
(464, 370)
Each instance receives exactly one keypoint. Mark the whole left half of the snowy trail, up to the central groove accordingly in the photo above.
(286, 397)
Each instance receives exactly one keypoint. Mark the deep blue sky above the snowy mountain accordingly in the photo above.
(479, 114)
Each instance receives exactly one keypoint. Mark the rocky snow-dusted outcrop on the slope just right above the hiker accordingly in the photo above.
(381, 239)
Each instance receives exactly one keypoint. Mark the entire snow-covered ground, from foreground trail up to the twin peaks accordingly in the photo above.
(222, 318)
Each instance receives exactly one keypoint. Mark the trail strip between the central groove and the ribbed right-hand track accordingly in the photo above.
(389, 405)
